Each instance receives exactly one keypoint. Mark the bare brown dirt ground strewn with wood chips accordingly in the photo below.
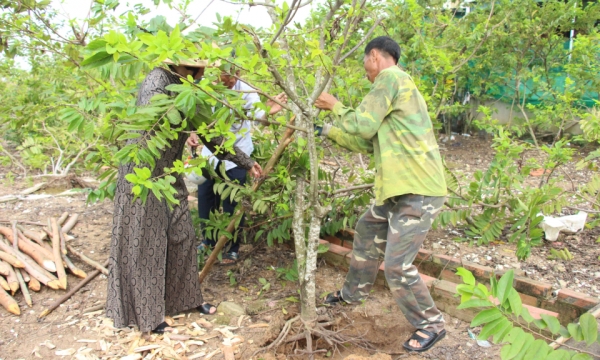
(70, 331)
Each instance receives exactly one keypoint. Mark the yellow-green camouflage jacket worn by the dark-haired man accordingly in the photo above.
(392, 123)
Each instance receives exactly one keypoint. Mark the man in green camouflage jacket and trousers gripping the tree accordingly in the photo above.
(392, 123)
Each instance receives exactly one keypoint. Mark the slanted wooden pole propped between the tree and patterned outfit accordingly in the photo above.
(283, 144)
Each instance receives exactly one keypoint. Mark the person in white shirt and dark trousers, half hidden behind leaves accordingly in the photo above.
(208, 200)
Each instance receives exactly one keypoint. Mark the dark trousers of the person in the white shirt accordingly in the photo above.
(209, 201)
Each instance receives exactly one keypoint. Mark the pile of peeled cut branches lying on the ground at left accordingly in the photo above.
(29, 258)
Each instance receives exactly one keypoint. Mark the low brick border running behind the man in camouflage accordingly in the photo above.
(568, 305)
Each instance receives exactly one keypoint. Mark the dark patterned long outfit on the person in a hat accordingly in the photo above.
(153, 263)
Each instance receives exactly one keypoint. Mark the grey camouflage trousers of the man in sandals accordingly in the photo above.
(396, 230)
